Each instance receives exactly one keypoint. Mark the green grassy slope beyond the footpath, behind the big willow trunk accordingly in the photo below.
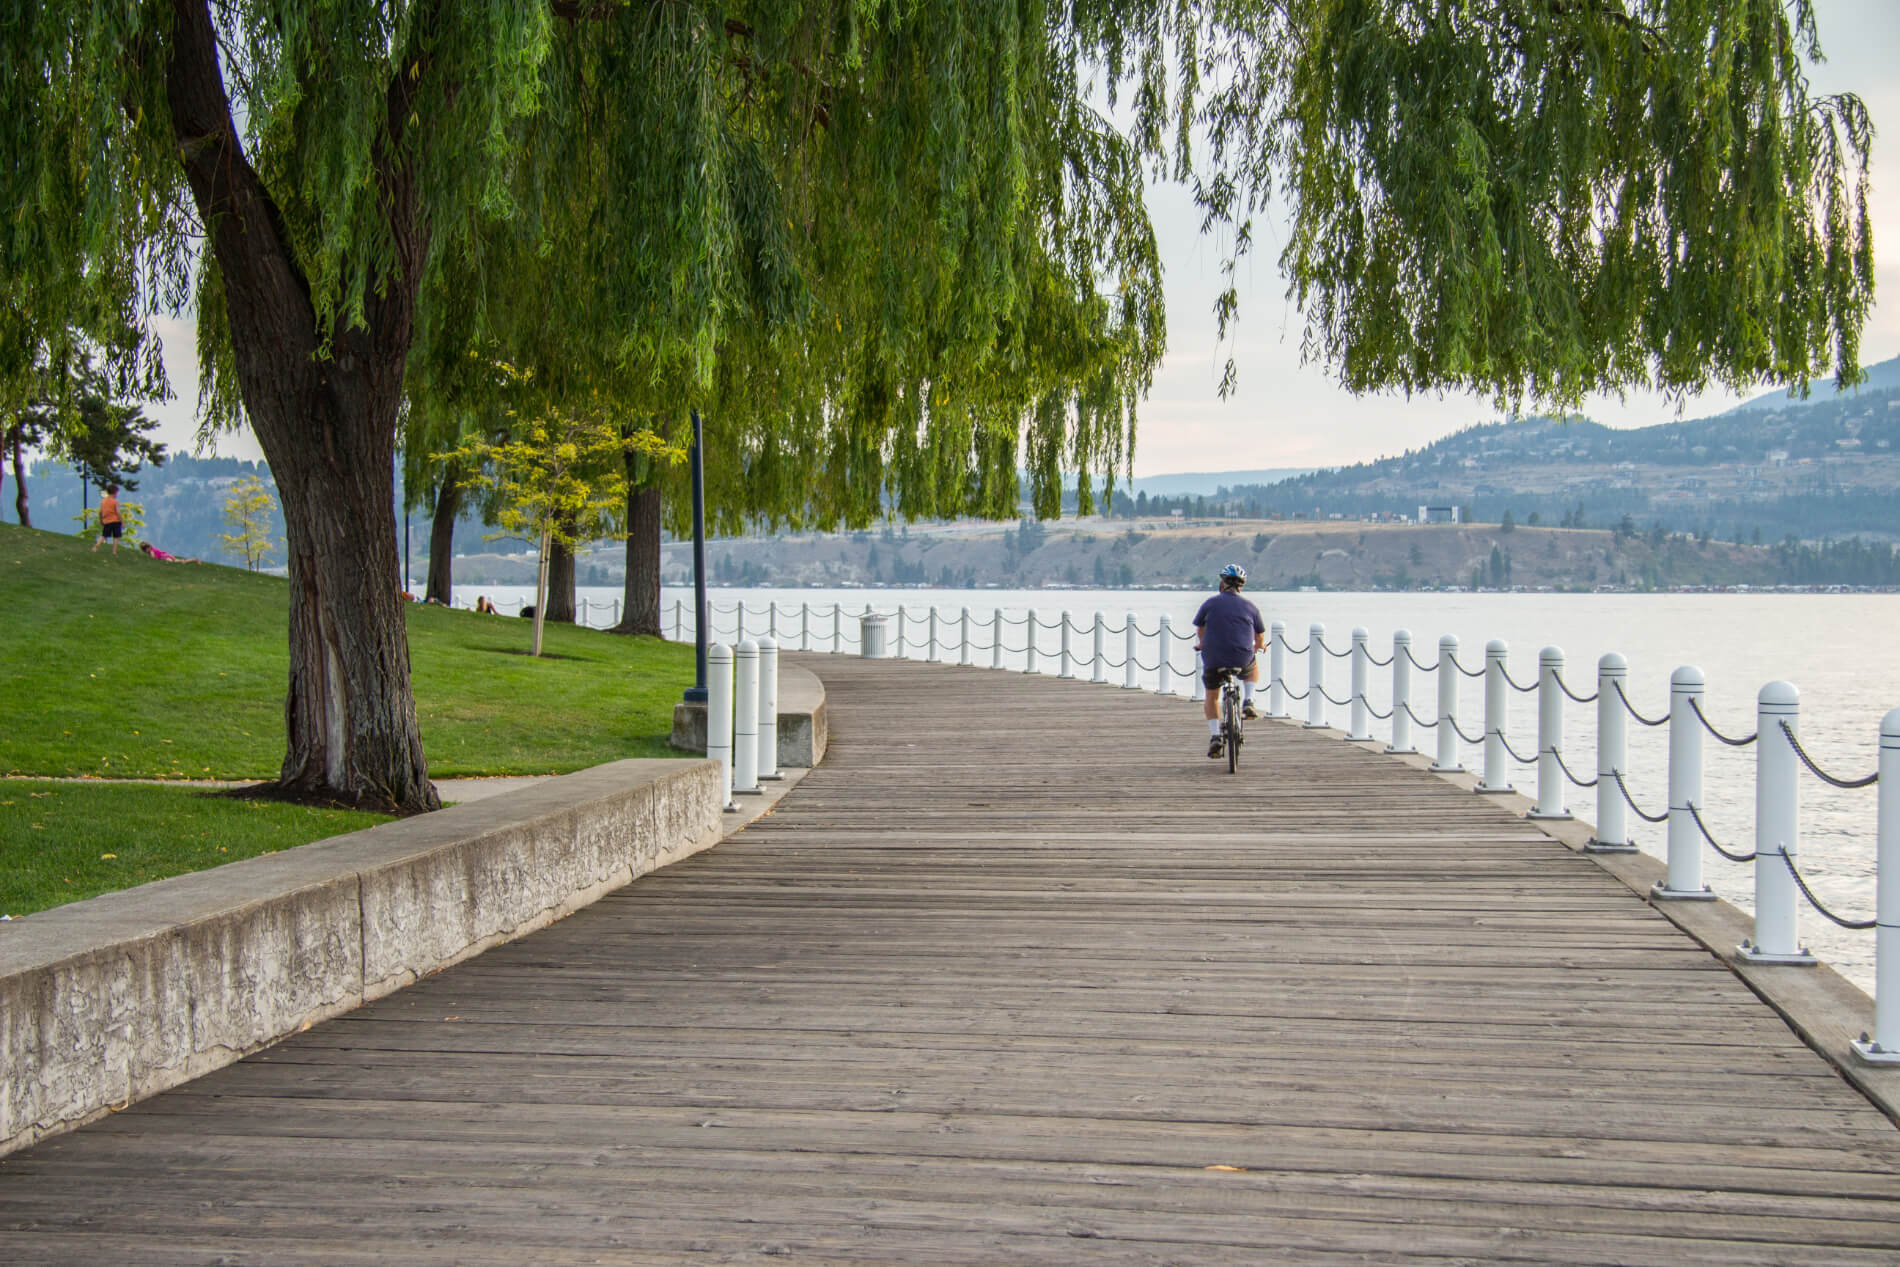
(126, 668)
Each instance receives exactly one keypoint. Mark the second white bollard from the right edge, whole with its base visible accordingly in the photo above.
(1777, 831)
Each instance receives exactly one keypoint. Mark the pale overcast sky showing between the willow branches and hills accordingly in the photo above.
(1289, 415)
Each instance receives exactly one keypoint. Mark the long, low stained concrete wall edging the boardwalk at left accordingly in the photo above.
(123, 996)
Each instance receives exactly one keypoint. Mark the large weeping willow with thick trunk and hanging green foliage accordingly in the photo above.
(890, 246)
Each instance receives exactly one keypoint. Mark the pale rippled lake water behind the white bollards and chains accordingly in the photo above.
(1836, 649)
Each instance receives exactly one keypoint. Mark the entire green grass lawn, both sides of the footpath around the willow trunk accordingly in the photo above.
(123, 668)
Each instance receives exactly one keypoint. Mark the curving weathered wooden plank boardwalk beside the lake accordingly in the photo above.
(1019, 975)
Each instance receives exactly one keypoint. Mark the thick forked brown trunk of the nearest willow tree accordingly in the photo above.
(326, 421)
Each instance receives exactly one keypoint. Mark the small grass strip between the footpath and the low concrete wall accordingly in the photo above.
(62, 842)
